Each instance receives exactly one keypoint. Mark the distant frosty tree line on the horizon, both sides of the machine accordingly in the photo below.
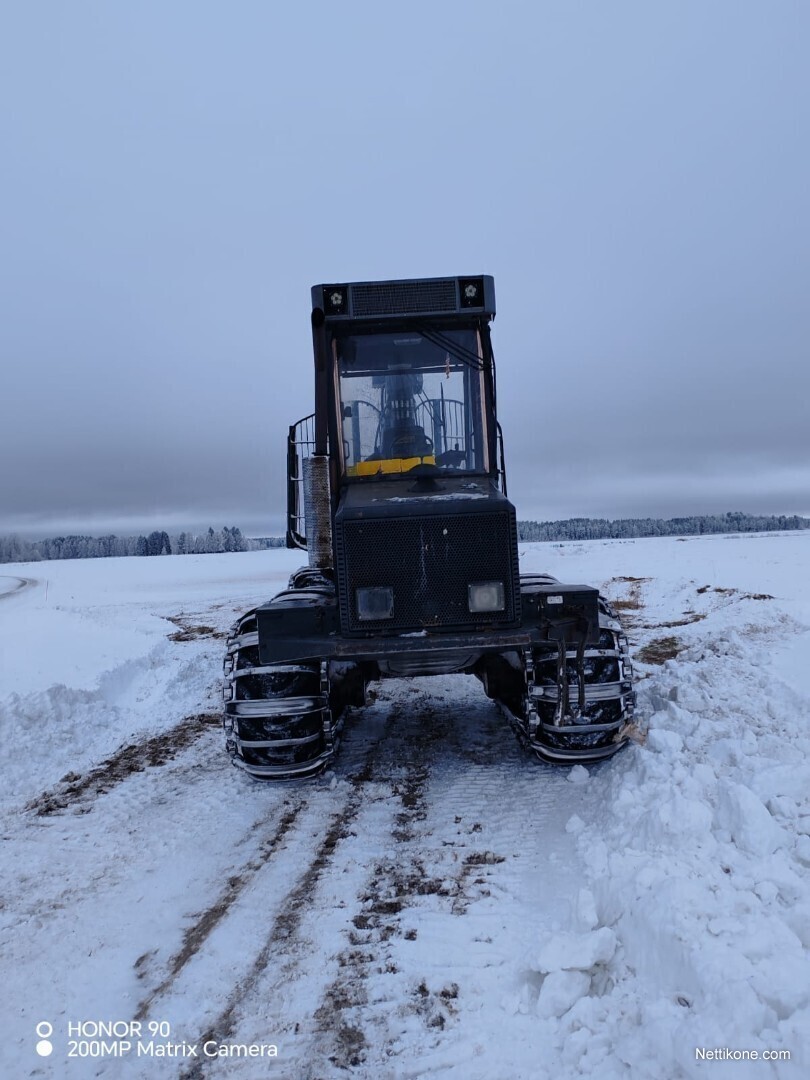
(217, 542)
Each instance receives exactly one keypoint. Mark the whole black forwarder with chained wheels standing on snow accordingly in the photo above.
(398, 490)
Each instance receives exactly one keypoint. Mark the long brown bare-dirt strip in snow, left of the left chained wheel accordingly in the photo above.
(136, 758)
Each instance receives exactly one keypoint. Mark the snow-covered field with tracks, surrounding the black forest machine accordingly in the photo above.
(439, 904)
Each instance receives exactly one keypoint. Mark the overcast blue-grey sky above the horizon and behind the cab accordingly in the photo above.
(177, 174)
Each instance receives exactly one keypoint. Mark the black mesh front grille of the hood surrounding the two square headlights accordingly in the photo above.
(429, 562)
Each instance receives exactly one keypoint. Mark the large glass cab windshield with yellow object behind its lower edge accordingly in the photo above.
(412, 398)
